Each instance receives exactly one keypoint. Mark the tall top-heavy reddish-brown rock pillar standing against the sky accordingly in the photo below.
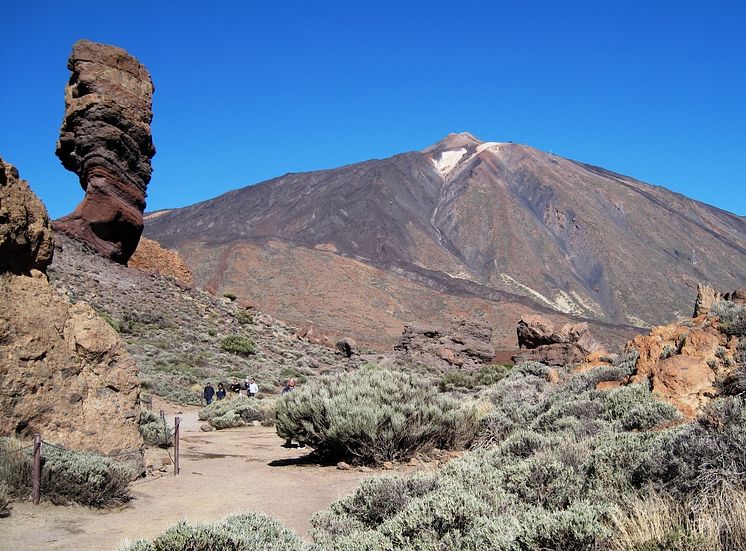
(105, 139)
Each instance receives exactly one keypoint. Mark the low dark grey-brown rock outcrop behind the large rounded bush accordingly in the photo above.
(464, 344)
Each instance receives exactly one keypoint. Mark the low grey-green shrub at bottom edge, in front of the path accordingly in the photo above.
(241, 532)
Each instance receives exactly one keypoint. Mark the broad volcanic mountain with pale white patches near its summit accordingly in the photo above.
(464, 228)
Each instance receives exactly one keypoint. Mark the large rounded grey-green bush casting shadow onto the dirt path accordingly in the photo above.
(373, 415)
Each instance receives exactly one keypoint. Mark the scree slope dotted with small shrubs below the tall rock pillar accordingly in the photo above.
(175, 332)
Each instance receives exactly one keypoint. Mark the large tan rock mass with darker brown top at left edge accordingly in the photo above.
(65, 371)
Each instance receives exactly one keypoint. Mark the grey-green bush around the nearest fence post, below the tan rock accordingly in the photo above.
(66, 476)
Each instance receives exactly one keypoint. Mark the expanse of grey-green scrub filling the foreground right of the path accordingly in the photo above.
(552, 466)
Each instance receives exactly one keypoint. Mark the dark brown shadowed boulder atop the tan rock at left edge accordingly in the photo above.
(26, 241)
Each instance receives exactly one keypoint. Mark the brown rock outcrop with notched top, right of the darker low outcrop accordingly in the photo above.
(541, 342)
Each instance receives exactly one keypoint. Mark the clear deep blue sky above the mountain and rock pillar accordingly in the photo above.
(246, 91)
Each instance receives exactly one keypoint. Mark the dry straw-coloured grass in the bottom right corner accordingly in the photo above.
(656, 522)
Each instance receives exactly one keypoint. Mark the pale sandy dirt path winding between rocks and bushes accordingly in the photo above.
(222, 472)
